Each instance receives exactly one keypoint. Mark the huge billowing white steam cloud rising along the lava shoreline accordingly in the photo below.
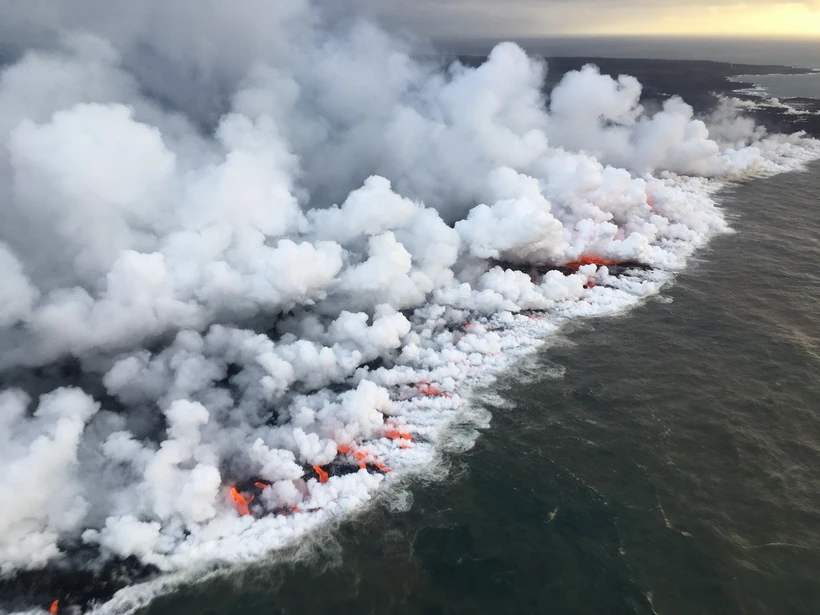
(280, 244)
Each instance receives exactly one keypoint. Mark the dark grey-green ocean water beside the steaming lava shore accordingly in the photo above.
(663, 461)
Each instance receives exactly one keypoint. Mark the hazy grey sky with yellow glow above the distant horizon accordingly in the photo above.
(467, 18)
